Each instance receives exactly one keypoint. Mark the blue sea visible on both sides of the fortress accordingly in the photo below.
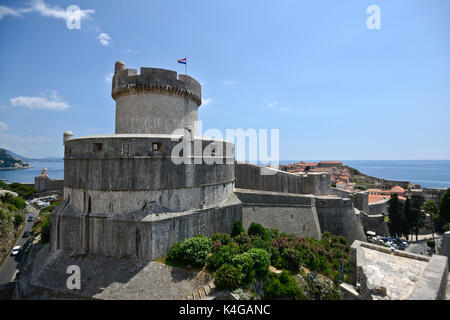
(428, 173)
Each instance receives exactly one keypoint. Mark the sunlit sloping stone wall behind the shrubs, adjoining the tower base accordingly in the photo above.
(288, 213)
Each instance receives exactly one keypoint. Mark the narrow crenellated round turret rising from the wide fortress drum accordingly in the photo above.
(156, 101)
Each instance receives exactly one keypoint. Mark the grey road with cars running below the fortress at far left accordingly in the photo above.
(9, 267)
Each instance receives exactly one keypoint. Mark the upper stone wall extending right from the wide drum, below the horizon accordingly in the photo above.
(250, 176)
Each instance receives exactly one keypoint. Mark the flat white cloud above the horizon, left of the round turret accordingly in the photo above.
(45, 101)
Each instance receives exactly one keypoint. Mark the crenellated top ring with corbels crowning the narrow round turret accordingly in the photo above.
(154, 80)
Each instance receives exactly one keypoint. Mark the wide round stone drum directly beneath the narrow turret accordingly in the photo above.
(122, 173)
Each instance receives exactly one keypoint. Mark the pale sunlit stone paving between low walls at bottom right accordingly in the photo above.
(394, 276)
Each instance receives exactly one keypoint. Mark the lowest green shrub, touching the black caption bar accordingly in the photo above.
(282, 286)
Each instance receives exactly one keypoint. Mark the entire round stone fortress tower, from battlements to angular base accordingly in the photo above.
(124, 195)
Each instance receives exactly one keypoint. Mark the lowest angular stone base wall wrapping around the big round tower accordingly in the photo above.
(145, 235)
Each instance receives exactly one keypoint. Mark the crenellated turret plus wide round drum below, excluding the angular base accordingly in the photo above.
(127, 171)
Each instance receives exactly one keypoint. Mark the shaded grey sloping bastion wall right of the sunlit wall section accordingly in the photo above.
(337, 216)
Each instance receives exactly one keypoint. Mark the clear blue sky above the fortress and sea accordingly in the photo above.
(334, 88)
